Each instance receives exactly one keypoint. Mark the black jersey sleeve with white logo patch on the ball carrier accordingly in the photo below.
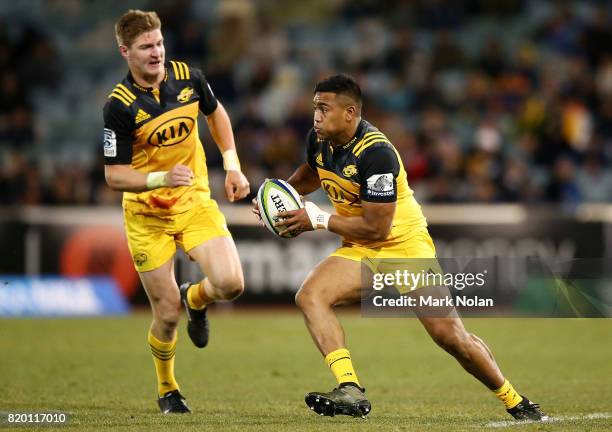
(378, 170)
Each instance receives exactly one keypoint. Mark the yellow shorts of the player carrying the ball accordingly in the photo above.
(416, 255)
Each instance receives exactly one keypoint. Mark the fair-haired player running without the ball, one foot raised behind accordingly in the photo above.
(154, 155)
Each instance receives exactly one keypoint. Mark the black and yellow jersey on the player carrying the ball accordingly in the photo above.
(367, 168)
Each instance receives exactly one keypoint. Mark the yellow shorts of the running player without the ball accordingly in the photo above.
(152, 239)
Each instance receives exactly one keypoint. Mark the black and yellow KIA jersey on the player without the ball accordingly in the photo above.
(155, 129)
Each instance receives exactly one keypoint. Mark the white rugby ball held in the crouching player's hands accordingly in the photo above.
(276, 196)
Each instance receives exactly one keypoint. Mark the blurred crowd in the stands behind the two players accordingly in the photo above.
(486, 101)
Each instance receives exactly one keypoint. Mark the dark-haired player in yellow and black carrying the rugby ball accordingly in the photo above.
(378, 217)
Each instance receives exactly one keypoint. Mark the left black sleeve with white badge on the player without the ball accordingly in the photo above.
(118, 128)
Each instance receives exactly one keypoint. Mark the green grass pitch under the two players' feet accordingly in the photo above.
(259, 365)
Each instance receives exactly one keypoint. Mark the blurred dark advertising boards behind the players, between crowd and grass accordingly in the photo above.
(80, 242)
